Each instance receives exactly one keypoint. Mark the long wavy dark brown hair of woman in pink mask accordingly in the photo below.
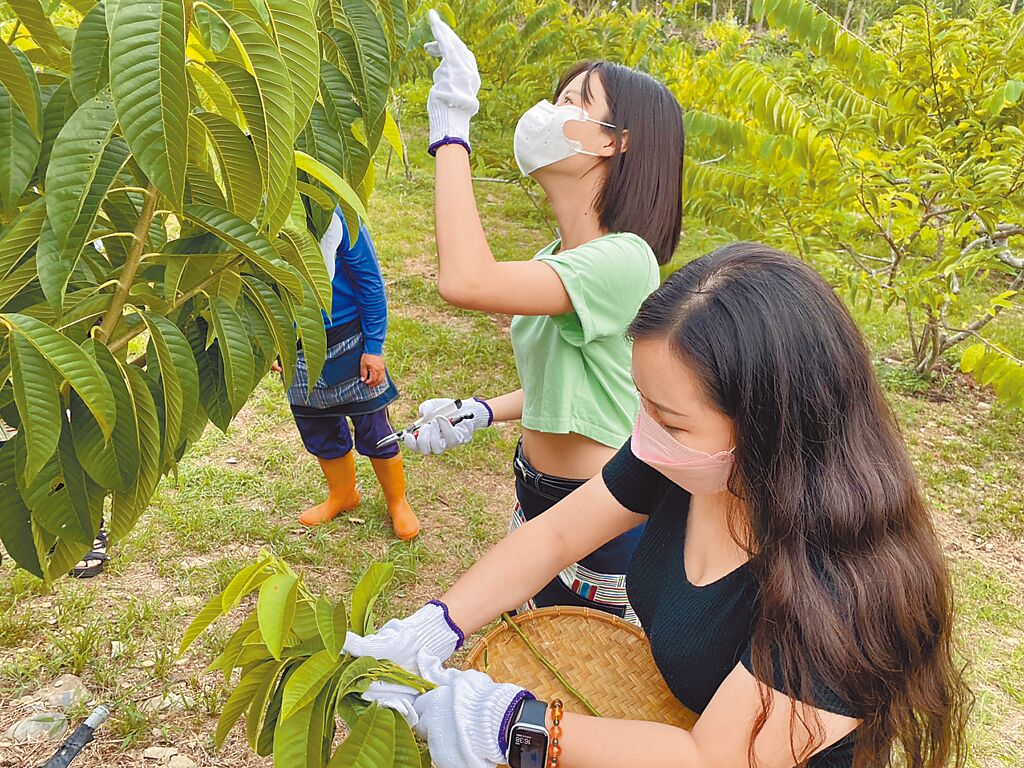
(854, 582)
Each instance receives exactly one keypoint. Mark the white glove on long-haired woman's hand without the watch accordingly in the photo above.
(426, 634)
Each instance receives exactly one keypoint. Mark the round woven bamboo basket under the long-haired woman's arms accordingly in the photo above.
(606, 659)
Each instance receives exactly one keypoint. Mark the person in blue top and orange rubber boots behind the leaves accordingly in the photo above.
(355, 386)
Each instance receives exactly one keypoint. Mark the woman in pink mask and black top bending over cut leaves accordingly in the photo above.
(789, 578)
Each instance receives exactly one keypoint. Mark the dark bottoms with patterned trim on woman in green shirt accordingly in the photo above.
(599, 581)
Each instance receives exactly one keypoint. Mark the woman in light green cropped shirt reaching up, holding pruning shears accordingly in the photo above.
(610, 156)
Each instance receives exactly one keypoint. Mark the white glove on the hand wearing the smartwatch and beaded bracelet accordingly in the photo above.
(465, 720)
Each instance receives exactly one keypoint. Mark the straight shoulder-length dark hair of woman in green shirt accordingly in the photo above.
(644, 194)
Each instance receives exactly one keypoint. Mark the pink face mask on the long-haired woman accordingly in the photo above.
(696, 472)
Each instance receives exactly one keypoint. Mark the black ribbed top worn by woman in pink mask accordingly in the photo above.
(698, 634)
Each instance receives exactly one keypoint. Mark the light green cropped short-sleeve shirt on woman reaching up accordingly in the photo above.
(575, 368)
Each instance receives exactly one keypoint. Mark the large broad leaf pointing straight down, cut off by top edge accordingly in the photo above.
(148, 42)
